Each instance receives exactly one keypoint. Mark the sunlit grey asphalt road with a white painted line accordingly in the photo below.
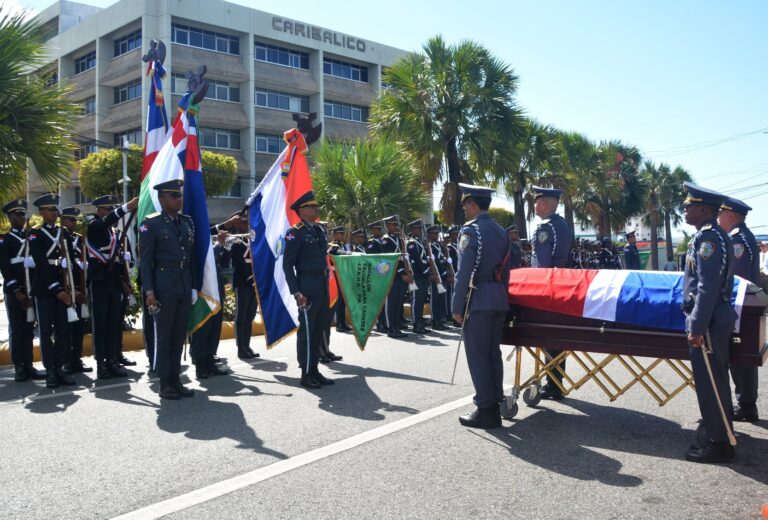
(384, 442)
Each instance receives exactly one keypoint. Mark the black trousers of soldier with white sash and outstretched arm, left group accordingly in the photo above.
(106, 320)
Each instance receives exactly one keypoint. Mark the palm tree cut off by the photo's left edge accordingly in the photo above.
(35, 117)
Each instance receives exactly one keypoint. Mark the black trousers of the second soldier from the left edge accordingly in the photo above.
(54, 331)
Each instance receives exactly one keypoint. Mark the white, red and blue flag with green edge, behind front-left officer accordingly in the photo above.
(179, 158)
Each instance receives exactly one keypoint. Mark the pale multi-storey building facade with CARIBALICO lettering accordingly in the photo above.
(262, 68)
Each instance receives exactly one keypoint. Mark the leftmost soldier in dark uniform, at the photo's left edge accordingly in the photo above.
(14, 265)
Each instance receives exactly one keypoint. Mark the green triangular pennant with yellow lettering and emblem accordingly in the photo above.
(364, 282)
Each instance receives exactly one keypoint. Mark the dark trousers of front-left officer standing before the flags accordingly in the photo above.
(170, 332)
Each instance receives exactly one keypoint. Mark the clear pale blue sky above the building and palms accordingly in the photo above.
(668, 77)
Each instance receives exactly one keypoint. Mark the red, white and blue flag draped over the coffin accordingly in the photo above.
(650, 299)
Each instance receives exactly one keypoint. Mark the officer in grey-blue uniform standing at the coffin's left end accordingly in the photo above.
(481, 302)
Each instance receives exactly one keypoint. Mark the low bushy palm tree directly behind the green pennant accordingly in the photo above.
(360, 182)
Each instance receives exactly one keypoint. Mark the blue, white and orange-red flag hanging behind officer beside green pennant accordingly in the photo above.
(270, 219)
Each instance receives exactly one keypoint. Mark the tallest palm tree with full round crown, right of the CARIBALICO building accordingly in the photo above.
(445, 104)
